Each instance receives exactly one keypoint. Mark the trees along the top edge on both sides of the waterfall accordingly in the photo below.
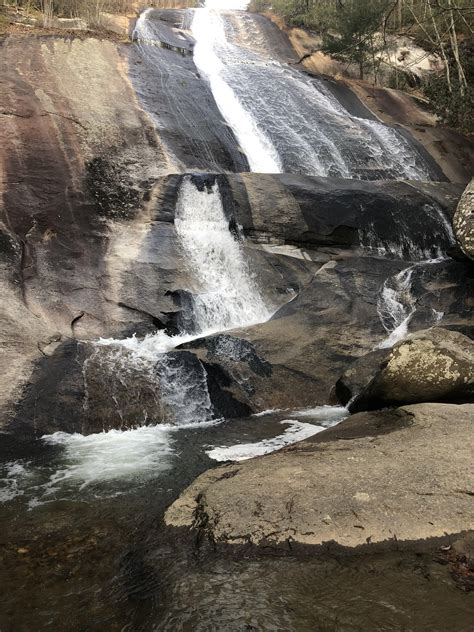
(355, 32)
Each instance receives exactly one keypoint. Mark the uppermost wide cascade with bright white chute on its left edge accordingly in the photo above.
(286, 122)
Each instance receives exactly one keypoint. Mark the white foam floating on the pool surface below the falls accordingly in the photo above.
(108, 463)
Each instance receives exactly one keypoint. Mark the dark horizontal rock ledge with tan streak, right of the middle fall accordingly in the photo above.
(409, 220)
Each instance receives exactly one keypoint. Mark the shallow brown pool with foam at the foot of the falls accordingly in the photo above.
(84, 548)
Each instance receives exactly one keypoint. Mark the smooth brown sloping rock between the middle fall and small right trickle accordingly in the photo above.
(335, 319)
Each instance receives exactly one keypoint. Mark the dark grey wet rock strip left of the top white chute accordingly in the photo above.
(168, 85)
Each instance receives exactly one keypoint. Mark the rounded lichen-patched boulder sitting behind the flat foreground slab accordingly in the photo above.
(431, 365)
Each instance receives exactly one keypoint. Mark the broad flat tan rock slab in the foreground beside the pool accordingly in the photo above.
(382, 477)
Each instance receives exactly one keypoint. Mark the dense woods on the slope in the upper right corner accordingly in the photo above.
(356, 31)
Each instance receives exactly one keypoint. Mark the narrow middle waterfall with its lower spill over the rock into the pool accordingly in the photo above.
(225, 295)
